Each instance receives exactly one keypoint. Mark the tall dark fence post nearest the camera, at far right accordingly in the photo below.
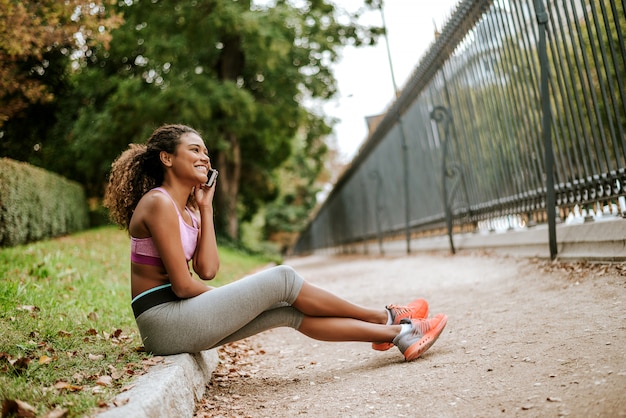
(542, 20)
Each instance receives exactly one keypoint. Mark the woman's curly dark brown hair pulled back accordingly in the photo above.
(138, 170)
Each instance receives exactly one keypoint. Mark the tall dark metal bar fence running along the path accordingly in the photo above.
(470, 118)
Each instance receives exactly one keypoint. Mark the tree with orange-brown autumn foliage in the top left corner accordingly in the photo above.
(35, 36)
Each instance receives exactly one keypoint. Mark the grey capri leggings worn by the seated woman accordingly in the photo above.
(225, 314)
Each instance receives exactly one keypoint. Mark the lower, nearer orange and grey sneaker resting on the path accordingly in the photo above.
(422, 335)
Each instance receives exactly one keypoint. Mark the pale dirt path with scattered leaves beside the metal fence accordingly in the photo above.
(524, 338)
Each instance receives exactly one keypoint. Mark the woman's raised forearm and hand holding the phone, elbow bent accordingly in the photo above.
(206, 261)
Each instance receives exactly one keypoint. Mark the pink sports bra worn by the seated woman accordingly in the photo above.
(143, 250)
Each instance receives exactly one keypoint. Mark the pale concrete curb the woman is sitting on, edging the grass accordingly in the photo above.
(169, 389)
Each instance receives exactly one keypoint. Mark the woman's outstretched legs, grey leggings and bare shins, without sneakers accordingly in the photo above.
(251, 305)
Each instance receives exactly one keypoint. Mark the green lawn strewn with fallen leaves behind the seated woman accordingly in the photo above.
(66, 326)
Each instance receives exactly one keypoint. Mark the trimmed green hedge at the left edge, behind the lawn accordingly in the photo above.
(36, 204)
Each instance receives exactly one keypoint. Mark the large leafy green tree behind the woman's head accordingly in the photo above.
(237, 72)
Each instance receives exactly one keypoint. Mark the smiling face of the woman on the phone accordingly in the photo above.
(191, 159)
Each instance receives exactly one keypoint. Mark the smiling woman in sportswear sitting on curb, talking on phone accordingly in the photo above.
(158, 193)
